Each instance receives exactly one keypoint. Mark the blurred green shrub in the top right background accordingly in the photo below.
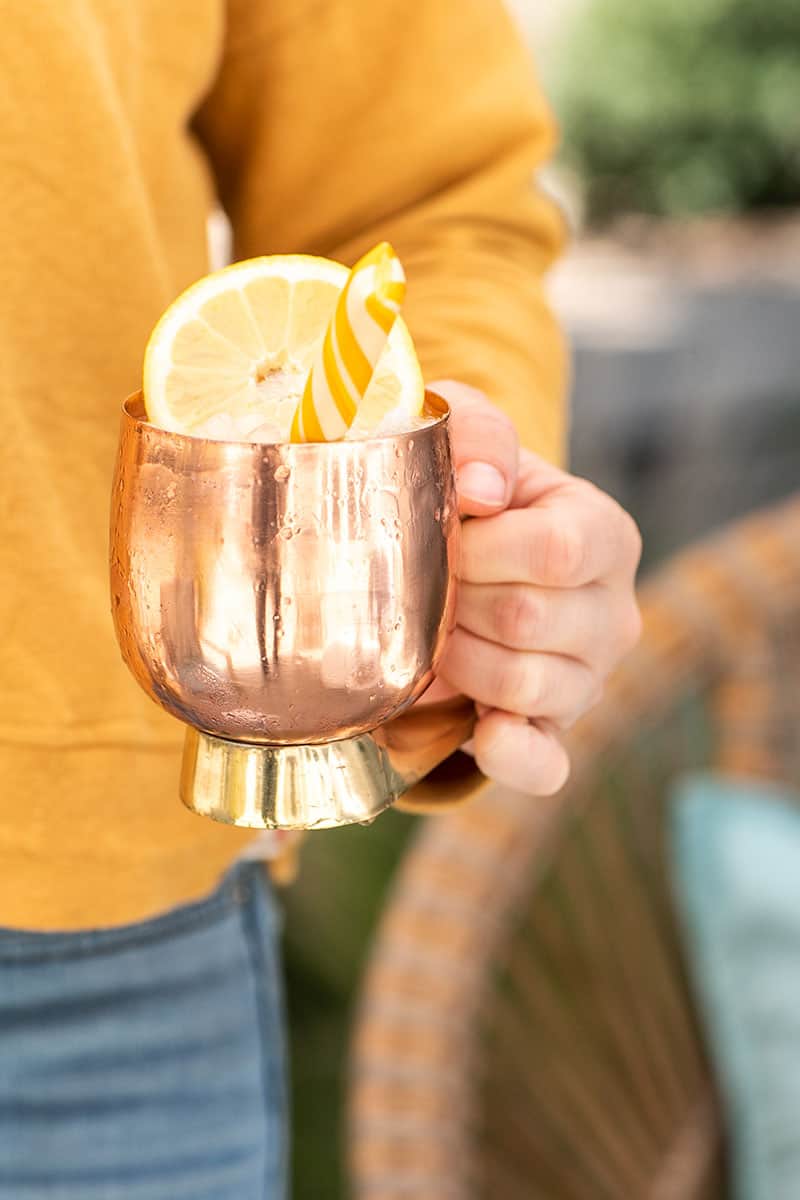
(683, 106)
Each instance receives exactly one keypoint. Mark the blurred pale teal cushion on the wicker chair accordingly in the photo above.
(736, 850)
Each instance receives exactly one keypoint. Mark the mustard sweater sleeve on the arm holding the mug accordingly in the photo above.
(335, 124)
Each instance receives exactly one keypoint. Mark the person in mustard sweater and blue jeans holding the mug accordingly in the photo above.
(142, 1030)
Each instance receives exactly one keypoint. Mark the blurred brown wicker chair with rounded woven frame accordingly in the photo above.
(527, 1029)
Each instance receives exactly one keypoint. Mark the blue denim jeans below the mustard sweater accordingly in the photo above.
(147, 1063)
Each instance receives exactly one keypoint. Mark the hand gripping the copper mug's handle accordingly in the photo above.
(546, 601)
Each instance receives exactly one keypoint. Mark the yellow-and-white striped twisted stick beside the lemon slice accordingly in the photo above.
(348, 355)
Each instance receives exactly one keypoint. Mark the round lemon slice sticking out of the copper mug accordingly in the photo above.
(239, 344)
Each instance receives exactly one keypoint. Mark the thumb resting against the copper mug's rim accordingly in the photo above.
(485, 449)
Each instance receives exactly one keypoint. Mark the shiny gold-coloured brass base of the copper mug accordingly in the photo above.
(288, 788)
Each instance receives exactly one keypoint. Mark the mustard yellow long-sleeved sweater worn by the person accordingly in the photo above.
(322, 127)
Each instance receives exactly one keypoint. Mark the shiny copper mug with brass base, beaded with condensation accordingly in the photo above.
(288, 603)
